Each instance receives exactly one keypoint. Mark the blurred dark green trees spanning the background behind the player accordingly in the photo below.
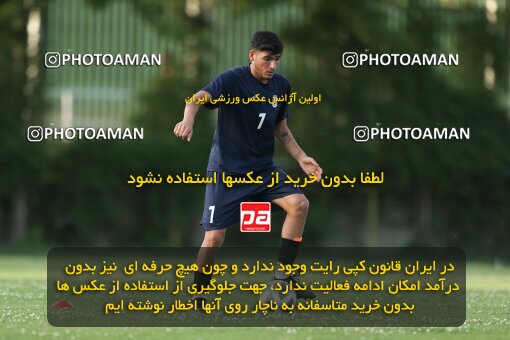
(434, 193)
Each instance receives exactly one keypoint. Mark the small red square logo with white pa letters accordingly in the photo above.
(256, 217)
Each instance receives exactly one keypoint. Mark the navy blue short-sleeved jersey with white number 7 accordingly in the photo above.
(244, 136)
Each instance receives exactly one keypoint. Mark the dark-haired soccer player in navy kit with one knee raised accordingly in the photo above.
(244, 142)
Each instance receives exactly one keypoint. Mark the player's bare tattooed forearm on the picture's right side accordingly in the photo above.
(308, 164)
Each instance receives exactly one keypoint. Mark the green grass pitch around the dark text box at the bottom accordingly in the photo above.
(23, 304)
